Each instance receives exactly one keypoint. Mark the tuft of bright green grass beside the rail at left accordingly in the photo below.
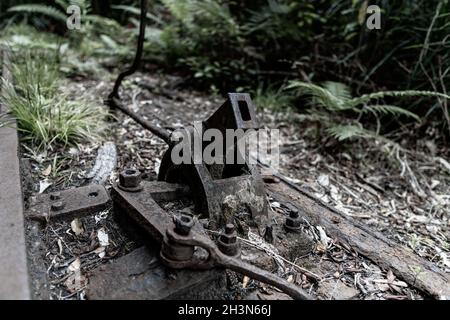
(44, 115)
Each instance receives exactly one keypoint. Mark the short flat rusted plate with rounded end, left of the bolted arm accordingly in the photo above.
(69, 203)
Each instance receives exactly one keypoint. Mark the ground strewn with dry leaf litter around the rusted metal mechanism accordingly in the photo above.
(403, 193)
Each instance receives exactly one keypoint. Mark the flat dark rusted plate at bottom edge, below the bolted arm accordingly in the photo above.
(140, 275)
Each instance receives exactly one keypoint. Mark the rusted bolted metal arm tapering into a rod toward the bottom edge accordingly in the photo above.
(184, 242)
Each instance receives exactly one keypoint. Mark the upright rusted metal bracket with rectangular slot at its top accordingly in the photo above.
(210, 184)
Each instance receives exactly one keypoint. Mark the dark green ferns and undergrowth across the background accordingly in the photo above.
(259, 46)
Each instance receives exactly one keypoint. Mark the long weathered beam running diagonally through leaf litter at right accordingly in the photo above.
(404, 263)
